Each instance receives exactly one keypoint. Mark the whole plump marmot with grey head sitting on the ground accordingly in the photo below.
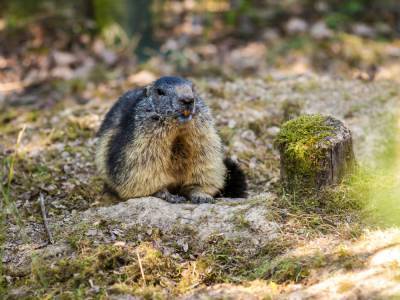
(160, 140)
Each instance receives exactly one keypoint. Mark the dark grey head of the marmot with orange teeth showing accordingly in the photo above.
(172, 98)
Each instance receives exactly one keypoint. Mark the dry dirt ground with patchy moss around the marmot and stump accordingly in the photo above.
(344, 245)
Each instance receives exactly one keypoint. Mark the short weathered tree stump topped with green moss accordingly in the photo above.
(315, 151)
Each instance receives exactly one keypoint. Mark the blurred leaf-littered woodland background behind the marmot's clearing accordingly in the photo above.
(228, 37)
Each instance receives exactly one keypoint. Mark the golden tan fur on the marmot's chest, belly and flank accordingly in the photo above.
(188, 158)
